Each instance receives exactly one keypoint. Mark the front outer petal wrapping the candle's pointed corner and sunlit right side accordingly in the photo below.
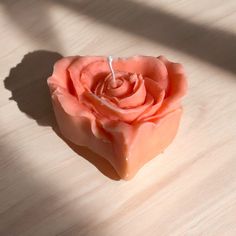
(135, 145)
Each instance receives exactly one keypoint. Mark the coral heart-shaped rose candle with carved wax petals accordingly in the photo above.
(127, 121)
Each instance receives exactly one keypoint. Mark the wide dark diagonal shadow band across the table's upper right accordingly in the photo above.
(207, 43)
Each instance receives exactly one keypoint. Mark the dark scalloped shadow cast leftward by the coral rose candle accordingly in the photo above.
(27, 83)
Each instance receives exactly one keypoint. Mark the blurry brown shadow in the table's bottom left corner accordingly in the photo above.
(32, 206)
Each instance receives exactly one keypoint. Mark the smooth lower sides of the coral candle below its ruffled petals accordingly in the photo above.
(131, 147)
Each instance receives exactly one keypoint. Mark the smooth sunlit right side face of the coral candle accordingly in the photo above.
(150, 140)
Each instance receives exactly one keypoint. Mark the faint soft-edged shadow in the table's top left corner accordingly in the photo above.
(33, 18)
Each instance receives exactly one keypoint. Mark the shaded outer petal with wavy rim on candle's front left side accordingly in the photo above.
(80, 126)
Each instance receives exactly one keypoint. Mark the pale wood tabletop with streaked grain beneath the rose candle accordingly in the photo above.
(50, 188)
